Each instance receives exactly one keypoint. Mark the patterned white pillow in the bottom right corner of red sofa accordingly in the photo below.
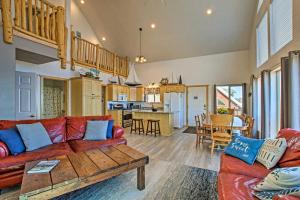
(280, 179)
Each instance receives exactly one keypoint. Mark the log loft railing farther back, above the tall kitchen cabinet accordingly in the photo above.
(92, 55)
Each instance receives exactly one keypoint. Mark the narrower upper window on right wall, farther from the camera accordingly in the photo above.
(262, 45)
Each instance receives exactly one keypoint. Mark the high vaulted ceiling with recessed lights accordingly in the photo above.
(183, 29)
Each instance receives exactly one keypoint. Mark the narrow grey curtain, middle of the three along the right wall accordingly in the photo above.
(265, 104)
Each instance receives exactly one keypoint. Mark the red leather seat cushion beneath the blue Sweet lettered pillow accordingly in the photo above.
(233, 165)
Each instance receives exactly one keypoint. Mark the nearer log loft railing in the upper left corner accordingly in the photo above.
(38, 19)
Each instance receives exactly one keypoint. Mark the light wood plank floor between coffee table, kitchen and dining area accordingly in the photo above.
(166, 154)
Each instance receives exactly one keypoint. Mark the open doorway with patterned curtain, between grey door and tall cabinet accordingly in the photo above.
(54, 96)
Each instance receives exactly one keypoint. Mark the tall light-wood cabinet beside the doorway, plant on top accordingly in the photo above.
(86, 97)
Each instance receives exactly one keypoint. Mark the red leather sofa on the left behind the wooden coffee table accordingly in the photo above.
(66, 134)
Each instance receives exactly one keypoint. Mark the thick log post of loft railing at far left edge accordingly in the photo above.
(7, 21)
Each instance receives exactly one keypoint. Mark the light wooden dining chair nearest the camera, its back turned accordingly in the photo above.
(221, 130)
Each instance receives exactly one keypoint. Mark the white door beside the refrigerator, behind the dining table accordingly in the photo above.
(197, 102)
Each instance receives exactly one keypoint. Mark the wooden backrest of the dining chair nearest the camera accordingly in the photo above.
(221, 123)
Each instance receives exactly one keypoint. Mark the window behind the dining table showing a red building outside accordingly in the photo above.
(230, 96)
